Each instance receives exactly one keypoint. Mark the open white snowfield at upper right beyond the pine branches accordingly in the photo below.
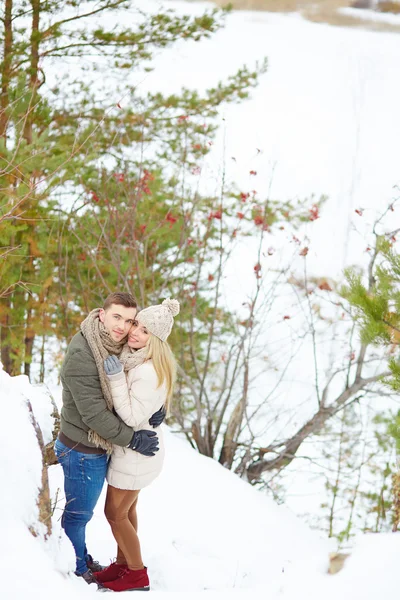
(323, 120)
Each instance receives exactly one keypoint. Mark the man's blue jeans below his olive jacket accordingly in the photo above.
(84, 476)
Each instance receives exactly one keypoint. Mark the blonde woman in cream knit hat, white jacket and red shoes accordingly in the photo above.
(141, 380)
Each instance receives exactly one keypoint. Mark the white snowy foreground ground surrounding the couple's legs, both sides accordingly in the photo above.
(204, 532)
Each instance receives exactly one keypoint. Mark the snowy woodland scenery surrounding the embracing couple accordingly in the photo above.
(243, 159)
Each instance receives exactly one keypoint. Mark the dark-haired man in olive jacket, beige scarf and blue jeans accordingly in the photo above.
(89, 428)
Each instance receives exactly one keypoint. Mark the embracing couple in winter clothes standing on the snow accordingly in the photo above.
(117, 378)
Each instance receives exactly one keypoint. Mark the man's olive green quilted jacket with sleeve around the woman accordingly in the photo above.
(84, 406)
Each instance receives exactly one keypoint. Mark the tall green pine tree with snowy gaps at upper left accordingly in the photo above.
(52, 141)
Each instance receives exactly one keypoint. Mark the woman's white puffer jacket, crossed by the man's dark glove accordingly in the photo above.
(136, 397)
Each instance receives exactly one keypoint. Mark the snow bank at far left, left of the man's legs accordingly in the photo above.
(27, 563)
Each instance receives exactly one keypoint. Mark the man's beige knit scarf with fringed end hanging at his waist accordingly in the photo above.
(101, 345)
